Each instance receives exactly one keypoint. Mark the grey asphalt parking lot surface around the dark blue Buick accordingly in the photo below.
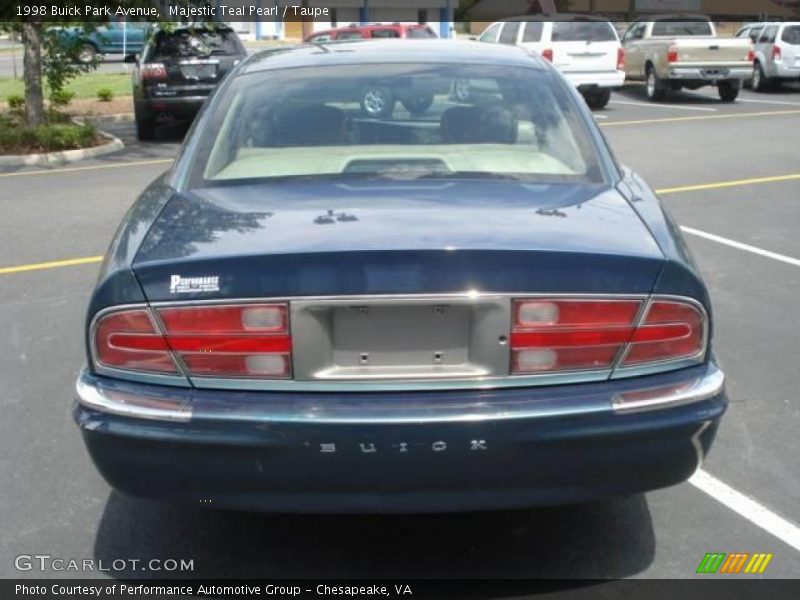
(731, 176)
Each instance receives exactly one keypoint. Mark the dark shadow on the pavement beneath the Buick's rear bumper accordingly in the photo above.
(612, 539)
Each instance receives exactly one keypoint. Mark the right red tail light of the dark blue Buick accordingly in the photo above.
(551, 335)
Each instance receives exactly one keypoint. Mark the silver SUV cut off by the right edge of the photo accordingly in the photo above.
(777, 55)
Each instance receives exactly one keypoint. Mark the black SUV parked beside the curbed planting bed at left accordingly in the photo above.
(177, 70)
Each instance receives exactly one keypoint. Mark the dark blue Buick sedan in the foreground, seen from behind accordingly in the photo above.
(315, 311)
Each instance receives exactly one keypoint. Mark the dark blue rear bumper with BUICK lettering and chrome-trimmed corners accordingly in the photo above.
(399, 452)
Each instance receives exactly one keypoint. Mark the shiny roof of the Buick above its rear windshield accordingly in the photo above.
(433, 51)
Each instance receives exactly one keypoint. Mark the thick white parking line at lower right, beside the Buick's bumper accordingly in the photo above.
(753, 511)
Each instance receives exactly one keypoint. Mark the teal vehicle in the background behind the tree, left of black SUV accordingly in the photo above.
(113, 37)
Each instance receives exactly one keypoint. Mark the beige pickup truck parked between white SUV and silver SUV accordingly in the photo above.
(675, 52)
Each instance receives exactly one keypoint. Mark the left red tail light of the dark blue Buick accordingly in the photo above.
(247, 340)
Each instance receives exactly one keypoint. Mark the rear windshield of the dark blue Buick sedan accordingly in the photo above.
(397, 121)
